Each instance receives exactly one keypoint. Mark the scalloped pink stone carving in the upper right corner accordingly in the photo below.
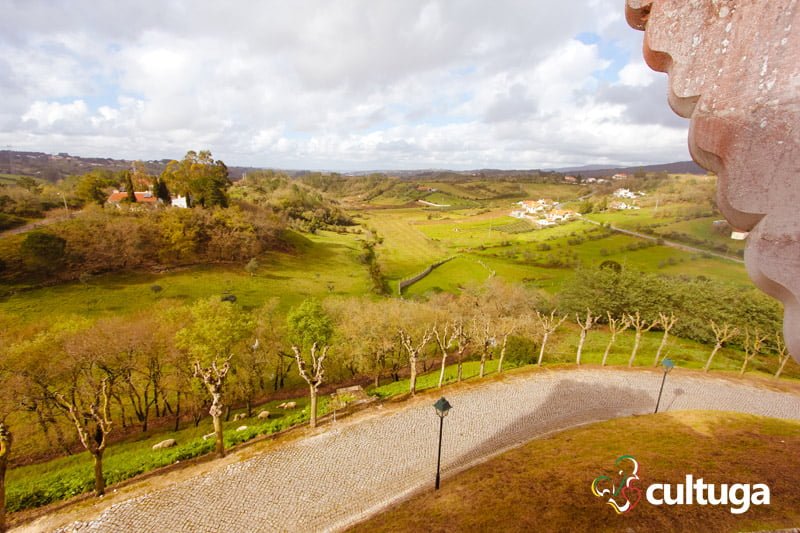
(734, 70)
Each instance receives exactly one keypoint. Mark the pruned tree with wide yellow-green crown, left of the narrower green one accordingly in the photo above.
(217, 329)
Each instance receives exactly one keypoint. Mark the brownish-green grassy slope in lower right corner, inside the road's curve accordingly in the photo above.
(545, 484)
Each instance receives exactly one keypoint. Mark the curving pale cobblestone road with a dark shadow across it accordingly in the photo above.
(352, 469)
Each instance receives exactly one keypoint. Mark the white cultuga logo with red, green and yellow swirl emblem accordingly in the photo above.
(623, 495)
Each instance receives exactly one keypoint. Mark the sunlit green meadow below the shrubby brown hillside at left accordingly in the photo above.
(321, 262)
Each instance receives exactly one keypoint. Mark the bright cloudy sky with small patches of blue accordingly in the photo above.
(344, 85)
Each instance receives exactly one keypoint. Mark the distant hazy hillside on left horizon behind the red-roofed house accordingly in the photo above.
(54, 167)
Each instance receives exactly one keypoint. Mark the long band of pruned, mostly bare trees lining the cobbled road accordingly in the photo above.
(188, 361)
